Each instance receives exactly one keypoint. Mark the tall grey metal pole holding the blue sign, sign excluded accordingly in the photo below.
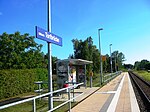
(50, 88)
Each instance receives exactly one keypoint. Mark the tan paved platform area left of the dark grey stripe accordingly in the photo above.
(95, 102)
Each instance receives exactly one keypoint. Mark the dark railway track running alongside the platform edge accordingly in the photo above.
(142, 89)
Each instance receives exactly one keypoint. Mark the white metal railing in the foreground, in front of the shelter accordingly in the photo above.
(47, 94)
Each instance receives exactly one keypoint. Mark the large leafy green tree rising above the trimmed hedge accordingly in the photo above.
(20, 51)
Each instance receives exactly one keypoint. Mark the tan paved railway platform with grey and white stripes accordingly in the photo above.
(116, 96)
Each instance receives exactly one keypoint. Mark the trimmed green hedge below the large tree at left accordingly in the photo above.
(15, 82)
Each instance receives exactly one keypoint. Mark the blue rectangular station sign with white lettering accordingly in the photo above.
(47, 36)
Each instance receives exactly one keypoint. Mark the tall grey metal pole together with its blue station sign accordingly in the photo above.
(50, 38)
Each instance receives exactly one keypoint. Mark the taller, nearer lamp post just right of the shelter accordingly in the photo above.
(101, 66)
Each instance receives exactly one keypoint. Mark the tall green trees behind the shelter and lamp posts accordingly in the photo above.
(86, 50)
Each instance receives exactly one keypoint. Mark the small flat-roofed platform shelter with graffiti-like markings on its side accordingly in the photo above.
(71, 71)
